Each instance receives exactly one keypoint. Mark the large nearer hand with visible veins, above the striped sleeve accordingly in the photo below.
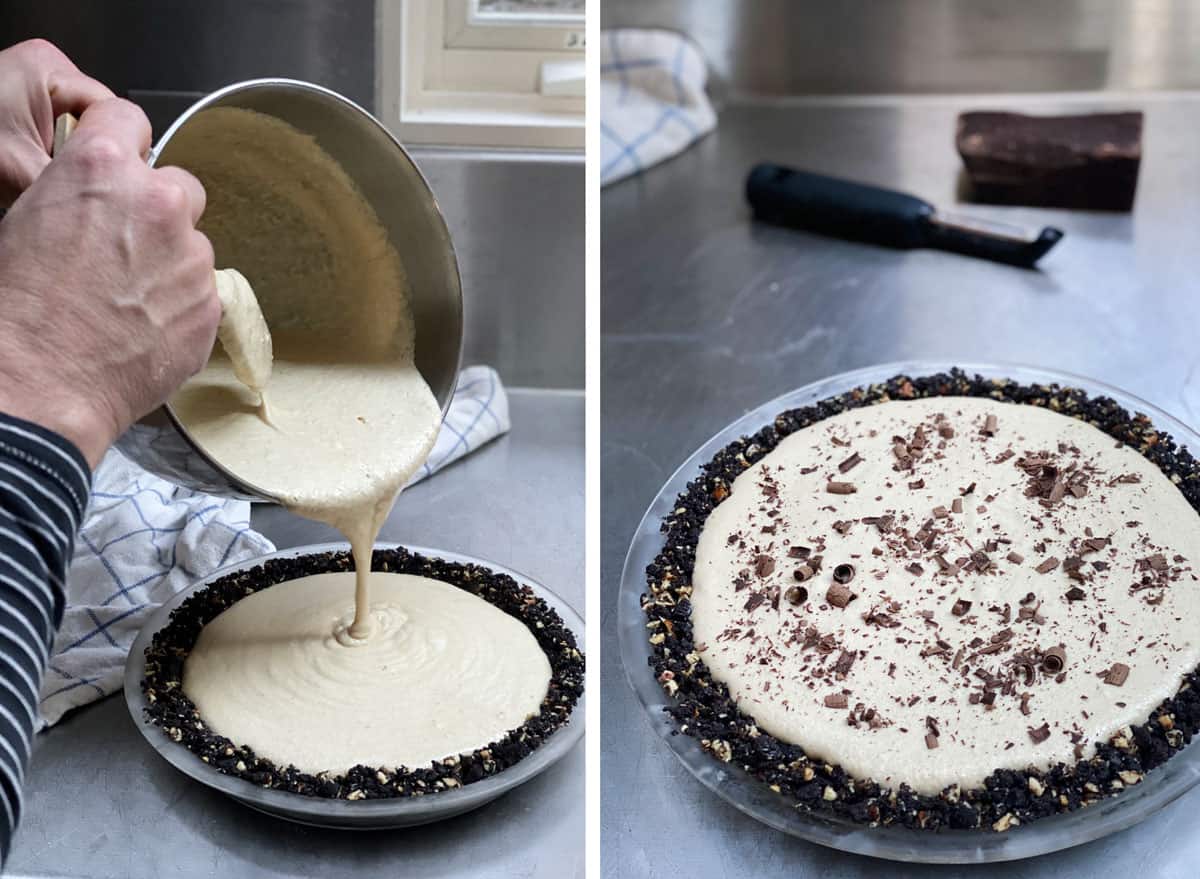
(107, 295)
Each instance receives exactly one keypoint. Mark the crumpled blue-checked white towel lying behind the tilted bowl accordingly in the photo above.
(145, 540)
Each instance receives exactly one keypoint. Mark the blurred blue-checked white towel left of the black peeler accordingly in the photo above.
(652, 100)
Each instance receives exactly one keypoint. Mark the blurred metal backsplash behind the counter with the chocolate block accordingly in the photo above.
(805, 47)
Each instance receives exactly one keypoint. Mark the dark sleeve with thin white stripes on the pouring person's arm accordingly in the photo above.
(44, 491)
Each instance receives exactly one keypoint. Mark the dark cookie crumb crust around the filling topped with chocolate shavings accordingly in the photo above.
(703, 708)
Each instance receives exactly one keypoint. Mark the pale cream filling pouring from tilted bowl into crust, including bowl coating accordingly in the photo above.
(403, 671)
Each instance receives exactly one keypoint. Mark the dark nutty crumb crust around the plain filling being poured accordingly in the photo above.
(172, 711)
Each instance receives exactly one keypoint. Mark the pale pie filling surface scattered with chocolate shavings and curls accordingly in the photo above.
(1016, 588)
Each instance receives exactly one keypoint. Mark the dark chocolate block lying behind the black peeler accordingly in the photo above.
(1084, 162)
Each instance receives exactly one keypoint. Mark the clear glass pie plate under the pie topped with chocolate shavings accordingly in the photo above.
(1160, 788)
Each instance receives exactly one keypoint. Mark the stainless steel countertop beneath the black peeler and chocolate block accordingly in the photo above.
(706, 315)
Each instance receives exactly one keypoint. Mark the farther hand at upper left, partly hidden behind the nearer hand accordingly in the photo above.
(38, 83)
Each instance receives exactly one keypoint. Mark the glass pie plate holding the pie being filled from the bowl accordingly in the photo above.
(363, 815)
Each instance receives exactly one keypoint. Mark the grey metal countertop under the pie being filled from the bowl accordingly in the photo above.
(100, 804)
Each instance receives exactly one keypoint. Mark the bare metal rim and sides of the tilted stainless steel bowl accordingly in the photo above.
(395, 189)
